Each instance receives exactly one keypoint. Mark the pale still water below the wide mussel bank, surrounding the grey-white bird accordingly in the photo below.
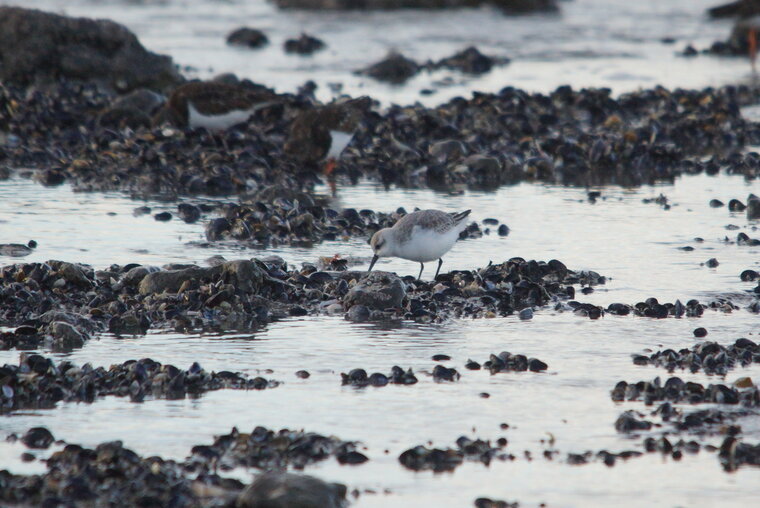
(634, 244)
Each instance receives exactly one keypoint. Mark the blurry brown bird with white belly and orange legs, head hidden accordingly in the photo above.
(319, 135)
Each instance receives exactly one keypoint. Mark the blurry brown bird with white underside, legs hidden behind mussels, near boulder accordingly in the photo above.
(214, 105)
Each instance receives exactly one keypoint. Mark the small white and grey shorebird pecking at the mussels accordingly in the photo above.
(422, 236)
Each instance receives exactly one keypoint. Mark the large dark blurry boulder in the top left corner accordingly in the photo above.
(39, 47)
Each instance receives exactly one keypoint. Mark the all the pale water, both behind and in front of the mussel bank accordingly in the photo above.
(592, 43)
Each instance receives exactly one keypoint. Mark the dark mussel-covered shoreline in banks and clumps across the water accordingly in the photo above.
(97, 131)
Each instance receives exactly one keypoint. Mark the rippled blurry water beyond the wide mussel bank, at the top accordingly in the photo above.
(591, 43)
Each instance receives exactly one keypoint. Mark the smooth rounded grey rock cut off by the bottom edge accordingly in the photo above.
(288, 490)
